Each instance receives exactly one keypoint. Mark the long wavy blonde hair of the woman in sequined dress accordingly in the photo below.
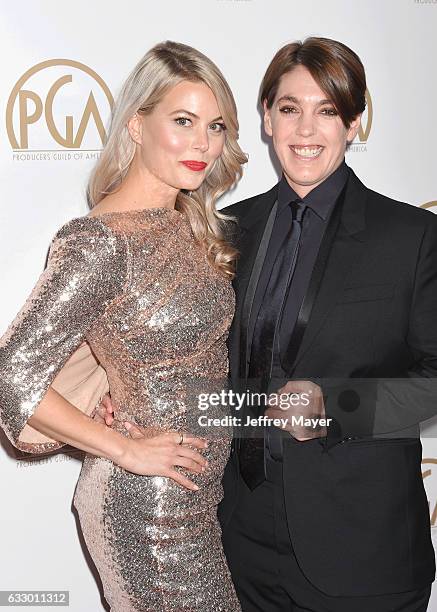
(163, 67)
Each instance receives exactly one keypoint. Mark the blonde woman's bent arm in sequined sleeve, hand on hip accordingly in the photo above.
(86, 271)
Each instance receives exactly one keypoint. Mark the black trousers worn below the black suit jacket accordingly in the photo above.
(264, 568)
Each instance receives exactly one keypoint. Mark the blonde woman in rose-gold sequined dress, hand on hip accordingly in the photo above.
(145, 281)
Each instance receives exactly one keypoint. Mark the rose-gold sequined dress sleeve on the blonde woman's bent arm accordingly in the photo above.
(86, 271)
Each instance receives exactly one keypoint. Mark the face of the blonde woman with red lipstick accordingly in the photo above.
(182, 137)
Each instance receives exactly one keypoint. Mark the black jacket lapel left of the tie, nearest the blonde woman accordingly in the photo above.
(252, 234)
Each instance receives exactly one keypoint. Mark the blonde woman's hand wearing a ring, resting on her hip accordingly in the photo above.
(158, 454)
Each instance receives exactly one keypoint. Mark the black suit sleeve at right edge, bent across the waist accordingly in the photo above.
(374, 407)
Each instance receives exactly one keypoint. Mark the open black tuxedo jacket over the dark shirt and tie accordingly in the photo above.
(357, 511)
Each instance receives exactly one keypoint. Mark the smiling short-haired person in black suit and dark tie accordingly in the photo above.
(336, 297)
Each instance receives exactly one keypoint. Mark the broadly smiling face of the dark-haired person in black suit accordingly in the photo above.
(308, 135)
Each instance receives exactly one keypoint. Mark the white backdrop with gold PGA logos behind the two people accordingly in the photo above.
(63, 64)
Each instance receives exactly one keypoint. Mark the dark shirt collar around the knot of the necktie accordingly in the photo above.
(322, 198)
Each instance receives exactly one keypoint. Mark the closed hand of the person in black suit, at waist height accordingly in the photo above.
(303, 413)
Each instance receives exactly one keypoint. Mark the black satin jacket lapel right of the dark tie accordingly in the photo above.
(342, 251)
